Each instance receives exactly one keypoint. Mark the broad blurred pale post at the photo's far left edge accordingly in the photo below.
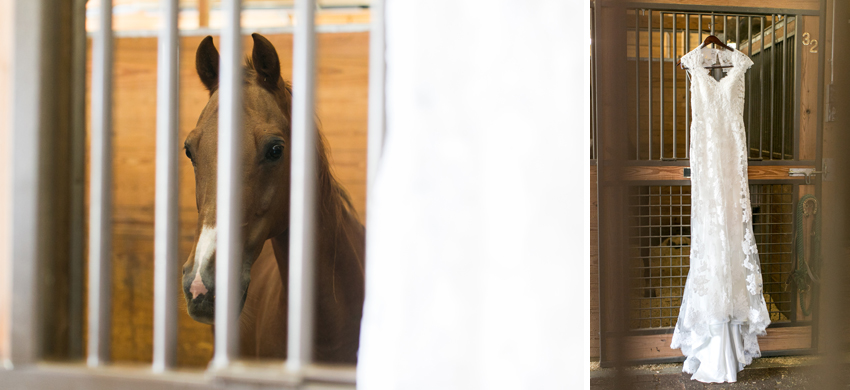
(19, 334)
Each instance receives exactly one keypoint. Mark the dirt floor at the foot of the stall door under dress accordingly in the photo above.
(789, 372)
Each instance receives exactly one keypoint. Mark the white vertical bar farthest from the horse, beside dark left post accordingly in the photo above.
(100, 203)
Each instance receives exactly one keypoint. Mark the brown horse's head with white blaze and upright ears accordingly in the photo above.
(265, 170)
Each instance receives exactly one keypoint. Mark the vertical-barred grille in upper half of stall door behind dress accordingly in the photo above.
(659, 101)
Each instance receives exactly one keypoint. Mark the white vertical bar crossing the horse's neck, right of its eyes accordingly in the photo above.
(302, 216)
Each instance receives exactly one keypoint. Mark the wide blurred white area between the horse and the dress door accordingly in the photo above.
(478, 249)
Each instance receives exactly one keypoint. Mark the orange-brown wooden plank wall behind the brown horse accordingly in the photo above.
(342, 78)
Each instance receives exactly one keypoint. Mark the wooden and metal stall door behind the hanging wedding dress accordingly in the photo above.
(644, 178)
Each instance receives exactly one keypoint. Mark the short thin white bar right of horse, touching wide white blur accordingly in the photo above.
(377, 70)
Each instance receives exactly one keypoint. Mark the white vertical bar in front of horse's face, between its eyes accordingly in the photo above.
(228, 190)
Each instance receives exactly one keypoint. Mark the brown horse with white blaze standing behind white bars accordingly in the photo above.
(266, 178)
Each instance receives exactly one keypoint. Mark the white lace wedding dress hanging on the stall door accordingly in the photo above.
(723, 307)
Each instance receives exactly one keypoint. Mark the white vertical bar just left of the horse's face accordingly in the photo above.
(166, 233)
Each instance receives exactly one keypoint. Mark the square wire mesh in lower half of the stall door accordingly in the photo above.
(660, 250)
